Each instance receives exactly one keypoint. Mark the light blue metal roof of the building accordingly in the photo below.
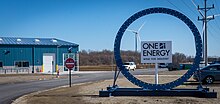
(34, 41)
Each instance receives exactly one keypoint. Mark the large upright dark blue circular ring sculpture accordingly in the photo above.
(170, 85)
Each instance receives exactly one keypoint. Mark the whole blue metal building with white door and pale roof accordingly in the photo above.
(36, 55)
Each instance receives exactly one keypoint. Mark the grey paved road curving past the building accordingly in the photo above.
(9, 92)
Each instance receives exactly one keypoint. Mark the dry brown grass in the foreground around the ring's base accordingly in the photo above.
(87, 93)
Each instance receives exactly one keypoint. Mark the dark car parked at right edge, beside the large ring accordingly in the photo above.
(208, 74)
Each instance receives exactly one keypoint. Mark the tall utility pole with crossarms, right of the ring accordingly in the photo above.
(205, 19)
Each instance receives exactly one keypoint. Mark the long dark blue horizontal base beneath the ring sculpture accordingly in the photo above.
(114, 91)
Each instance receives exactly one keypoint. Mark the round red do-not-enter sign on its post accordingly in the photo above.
(70, 63)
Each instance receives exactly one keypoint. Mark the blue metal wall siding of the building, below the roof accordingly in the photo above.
(24, 53)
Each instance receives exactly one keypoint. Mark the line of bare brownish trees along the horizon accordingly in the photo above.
(106, 57)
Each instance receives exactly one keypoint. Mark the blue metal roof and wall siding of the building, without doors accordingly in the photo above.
(28, 49)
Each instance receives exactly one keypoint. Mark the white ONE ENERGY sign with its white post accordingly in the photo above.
(156, 52)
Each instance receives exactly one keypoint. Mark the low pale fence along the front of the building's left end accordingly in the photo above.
(14, 70)
